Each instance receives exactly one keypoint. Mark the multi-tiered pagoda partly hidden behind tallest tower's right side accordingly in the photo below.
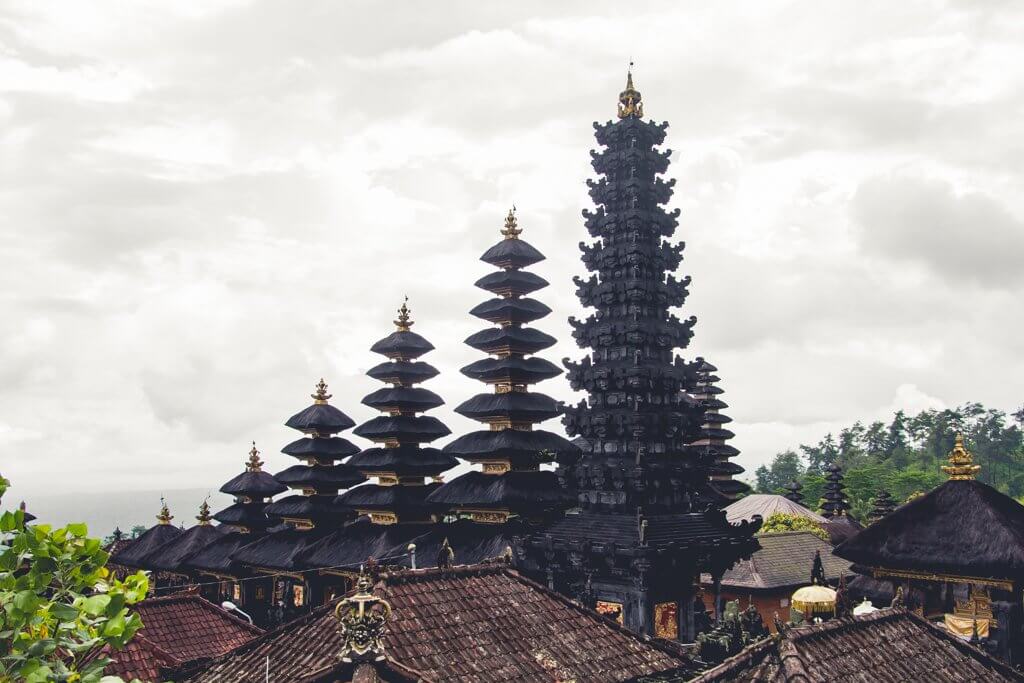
(714, 436)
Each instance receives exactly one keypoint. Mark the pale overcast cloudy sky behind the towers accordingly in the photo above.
(205, 207)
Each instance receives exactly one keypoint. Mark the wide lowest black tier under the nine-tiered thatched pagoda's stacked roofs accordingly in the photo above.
(511, 491)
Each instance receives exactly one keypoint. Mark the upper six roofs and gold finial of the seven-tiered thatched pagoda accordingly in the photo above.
(401, 462)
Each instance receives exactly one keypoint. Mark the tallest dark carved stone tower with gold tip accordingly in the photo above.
(645, 531)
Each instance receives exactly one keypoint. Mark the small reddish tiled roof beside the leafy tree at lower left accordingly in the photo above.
(176, 630)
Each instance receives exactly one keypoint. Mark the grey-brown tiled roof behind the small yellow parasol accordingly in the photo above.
(785, 561)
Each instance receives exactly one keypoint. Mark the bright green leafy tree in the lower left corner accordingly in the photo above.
(60, 604)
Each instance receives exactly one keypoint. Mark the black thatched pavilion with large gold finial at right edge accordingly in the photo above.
(957, 556)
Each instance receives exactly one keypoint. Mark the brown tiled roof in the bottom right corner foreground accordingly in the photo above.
(887, 647)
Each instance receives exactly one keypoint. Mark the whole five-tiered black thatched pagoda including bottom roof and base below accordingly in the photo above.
(311, 514)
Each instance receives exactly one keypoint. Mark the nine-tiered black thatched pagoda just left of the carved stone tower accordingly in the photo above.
(510, 487)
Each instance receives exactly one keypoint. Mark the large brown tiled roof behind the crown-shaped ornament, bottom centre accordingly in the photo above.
(477, 623)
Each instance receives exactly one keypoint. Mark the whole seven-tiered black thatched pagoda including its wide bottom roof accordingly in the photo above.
(394, 508)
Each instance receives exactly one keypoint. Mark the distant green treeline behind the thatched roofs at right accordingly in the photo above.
(905, 457)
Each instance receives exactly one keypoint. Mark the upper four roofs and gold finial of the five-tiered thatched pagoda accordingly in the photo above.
(321, 476)
